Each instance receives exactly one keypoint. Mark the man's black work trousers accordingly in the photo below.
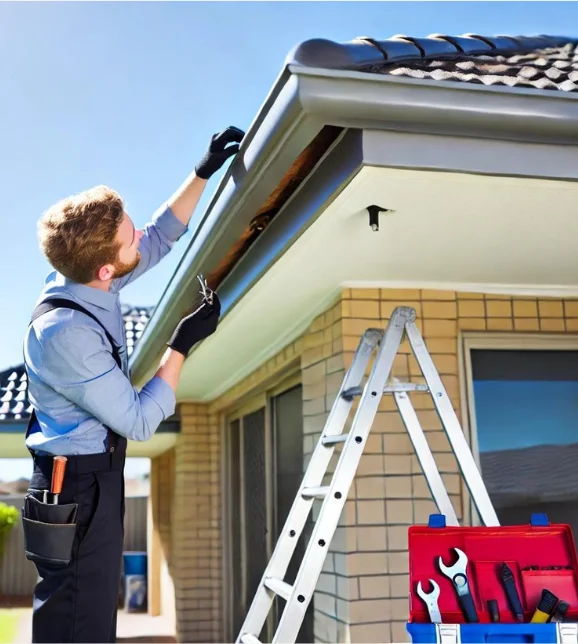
(77, 602)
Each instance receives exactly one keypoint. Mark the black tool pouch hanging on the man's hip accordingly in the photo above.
(49, 531)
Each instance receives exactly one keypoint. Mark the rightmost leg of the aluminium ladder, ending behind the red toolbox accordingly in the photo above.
(462, 452)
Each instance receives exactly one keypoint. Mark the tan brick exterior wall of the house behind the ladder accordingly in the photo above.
(362, 593)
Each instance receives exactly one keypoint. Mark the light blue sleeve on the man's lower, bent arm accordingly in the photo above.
(92, 380)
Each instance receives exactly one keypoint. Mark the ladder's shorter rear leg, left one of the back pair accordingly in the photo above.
(425, 457)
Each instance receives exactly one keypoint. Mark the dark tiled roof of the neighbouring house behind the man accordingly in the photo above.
(14, 403)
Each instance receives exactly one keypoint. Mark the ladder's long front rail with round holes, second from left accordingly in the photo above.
(332, 507)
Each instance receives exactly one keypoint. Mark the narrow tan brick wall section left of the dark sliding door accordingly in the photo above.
(196, 553)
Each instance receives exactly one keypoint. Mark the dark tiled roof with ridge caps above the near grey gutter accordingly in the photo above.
(540, 62)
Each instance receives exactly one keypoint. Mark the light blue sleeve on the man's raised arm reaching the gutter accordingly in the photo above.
(159, 237)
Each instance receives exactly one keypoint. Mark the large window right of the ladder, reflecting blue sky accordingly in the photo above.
(524, 410)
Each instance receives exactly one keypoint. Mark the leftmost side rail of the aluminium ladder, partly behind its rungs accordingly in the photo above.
(315, 471)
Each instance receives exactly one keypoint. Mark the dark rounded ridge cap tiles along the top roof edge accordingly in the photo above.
(364, 51)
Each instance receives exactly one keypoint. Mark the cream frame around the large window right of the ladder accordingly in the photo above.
(507, 341)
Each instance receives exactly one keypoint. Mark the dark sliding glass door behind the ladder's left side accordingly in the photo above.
(265, 470)
